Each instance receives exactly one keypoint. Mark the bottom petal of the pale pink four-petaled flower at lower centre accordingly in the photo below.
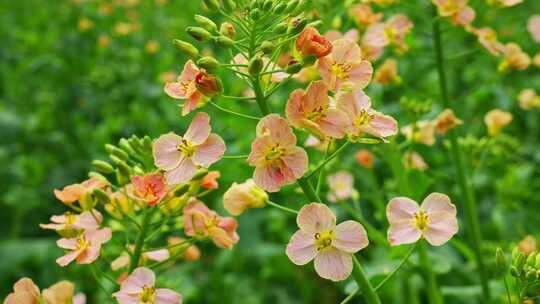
(333, 264)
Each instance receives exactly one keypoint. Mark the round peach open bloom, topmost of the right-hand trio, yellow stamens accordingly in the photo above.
(344, 67)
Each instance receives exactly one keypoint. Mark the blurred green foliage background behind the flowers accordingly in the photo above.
(78, 74)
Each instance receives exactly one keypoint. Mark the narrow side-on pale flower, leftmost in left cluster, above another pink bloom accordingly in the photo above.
(70, 224)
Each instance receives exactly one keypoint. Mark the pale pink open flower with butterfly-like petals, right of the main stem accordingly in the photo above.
(435, 220)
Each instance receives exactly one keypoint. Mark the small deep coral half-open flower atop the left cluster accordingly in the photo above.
(150, 187)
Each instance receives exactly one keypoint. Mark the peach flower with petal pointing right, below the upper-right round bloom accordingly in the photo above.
(362, 118)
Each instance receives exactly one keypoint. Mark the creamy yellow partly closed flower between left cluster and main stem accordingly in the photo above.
(240, 197)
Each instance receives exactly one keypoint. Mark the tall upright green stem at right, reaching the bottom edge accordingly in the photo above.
(471, 213)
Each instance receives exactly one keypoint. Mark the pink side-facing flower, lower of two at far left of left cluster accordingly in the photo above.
(85, 248)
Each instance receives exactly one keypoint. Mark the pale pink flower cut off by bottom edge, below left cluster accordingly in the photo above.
(139, 288)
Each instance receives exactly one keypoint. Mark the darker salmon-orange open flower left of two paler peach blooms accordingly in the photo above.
(311, 110)
